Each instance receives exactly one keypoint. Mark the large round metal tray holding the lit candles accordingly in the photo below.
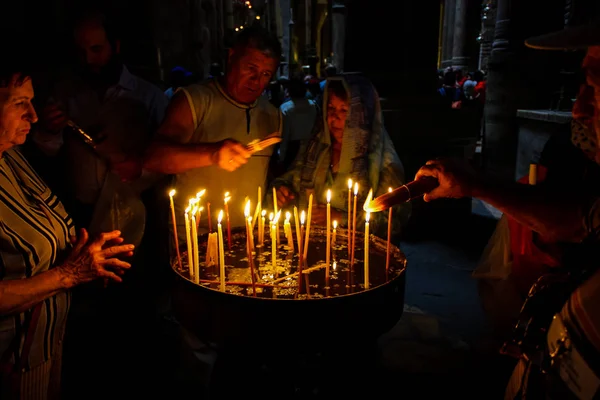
(279, 317)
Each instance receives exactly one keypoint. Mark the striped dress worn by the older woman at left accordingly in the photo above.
(34, 237)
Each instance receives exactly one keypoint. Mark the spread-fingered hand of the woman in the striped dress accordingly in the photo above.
(92, 259)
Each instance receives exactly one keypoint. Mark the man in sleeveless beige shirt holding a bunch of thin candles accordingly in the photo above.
(207, 126)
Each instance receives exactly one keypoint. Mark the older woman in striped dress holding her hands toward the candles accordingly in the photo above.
(40, 257)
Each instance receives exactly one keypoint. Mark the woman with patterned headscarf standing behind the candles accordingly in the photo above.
(348, 142)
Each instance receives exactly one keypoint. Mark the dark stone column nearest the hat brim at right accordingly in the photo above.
(501, 135)
